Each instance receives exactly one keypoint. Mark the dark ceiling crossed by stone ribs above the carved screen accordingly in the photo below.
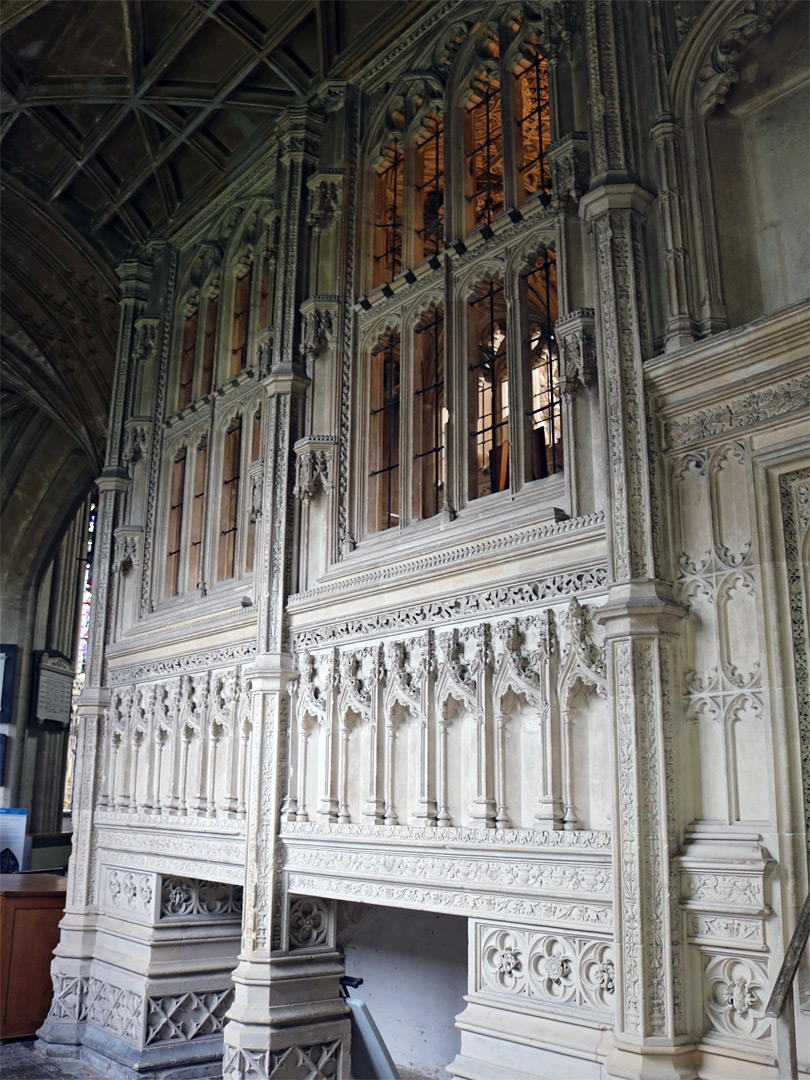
(126, 115)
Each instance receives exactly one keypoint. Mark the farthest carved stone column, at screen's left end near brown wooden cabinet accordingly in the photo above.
(71, 969)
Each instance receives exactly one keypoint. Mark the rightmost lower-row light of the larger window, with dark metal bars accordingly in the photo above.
(547, 411)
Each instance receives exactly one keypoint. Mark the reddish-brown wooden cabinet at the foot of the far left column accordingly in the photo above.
(31, 909)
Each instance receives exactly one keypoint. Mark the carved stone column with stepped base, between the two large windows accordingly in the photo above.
(288, 1014)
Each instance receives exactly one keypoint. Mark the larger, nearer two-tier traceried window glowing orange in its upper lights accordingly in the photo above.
(463, 402)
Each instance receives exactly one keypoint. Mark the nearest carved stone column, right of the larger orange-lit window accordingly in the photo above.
(641, 618)
